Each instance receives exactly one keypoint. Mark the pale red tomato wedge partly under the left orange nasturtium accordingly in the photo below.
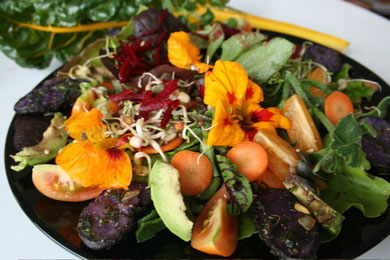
(54, 183)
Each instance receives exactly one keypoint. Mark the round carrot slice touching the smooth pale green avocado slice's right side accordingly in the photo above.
(196, 172)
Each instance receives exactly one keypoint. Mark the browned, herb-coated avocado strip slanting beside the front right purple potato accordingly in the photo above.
(328, 217)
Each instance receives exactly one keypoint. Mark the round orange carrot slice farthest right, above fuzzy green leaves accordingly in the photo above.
(337, 105)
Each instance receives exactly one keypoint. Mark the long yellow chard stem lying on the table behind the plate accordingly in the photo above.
(330, 41)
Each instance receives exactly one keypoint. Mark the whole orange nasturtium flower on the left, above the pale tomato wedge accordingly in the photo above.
(96, 161)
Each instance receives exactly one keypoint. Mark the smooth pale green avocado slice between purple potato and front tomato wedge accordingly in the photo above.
(168, 201)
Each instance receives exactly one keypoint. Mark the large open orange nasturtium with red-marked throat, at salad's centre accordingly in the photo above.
(238, 115)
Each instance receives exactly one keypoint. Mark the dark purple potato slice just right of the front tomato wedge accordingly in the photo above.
(285, 225)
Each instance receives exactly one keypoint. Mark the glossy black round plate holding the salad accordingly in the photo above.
(58, 219)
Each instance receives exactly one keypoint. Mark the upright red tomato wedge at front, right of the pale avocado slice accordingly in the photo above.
(215, 231)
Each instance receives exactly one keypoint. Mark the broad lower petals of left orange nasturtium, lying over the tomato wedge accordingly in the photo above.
(102, 165)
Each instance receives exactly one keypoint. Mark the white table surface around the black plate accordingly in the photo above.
(368, 33)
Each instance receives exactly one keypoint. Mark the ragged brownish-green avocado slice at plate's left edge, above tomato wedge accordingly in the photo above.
(54, 138)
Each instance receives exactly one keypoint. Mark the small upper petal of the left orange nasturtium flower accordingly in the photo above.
(88, 123)
